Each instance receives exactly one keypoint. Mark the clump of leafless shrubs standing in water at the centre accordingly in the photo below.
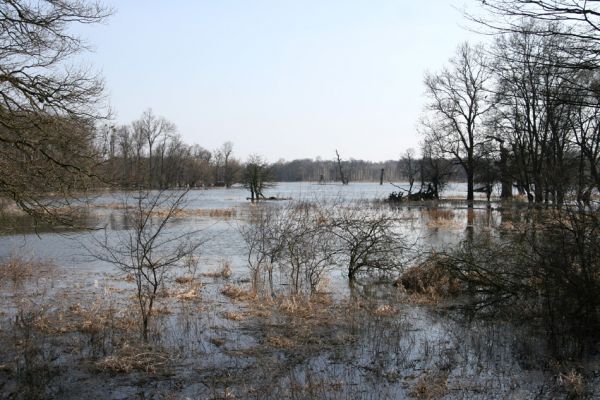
(305, 240)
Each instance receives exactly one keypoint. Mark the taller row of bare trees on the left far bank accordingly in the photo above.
(150, 152)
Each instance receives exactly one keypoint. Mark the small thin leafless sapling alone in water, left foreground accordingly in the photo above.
(148, 251)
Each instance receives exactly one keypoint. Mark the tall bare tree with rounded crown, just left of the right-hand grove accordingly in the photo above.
(457, 105)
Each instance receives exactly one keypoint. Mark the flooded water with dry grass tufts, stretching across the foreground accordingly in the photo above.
(365, 343)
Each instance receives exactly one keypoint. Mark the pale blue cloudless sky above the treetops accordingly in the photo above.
(283, 79)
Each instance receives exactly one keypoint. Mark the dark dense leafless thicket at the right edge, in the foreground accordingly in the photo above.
(548, 269)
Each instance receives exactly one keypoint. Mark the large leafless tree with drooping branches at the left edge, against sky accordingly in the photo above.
(48, 108)
